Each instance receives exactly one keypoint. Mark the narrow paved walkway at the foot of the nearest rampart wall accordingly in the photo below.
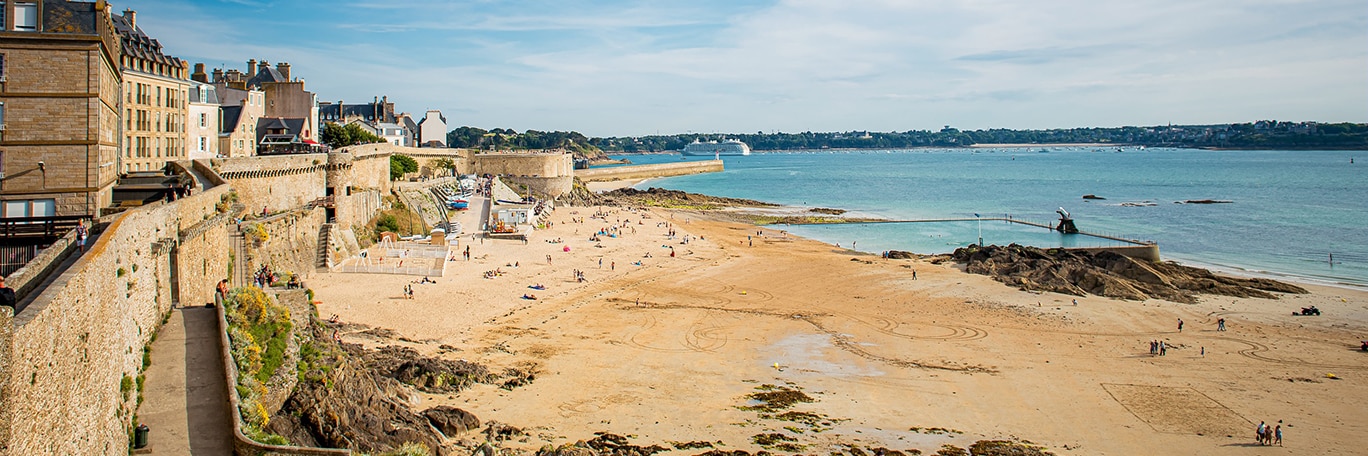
(185, 403)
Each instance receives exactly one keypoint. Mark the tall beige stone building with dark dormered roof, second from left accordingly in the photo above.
(155, 103)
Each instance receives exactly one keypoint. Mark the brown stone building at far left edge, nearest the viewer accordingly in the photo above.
(60, 109)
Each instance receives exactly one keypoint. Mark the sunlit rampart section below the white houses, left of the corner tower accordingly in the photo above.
(276, 183)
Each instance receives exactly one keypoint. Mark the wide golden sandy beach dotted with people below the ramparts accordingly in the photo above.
(667, 349)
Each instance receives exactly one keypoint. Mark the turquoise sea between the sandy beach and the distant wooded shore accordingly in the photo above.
(1299, 216)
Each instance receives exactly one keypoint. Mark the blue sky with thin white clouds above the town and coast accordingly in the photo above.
(634, 68)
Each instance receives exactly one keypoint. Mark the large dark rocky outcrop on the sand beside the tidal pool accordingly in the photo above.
(1109, 275)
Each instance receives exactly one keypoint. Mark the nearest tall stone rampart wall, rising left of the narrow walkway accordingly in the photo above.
(80, 342)
